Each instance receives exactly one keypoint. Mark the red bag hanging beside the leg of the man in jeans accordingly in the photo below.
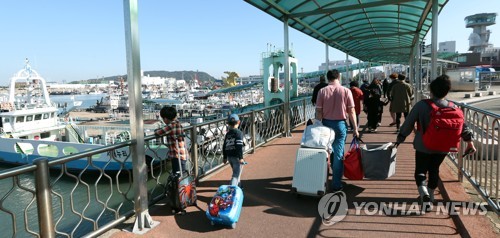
(353, 169)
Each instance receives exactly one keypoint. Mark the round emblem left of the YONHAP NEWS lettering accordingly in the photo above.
(332, 208)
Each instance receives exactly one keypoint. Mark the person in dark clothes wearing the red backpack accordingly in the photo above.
(427, 161)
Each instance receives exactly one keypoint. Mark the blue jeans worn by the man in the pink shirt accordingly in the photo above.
(340, 128)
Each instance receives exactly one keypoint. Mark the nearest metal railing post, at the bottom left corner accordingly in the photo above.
(43, 198)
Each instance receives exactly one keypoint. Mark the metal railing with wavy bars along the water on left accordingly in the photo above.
(47, 199)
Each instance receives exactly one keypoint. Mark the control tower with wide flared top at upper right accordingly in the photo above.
(478, 39)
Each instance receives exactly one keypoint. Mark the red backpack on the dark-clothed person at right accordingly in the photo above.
(444, 131)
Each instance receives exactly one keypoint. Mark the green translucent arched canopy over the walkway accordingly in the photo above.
(369, 30)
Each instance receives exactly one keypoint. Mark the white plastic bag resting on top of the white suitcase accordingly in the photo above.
(318, 136)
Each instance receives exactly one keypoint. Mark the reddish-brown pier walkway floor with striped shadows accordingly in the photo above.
(271, 210)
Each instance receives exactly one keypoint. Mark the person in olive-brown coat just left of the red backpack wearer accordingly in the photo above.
(401, 94)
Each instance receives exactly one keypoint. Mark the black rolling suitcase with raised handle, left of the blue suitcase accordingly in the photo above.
(181, 189)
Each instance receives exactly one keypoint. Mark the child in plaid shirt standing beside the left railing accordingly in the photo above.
(175, 138)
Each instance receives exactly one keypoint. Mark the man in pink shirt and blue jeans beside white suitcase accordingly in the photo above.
(334, 105)
